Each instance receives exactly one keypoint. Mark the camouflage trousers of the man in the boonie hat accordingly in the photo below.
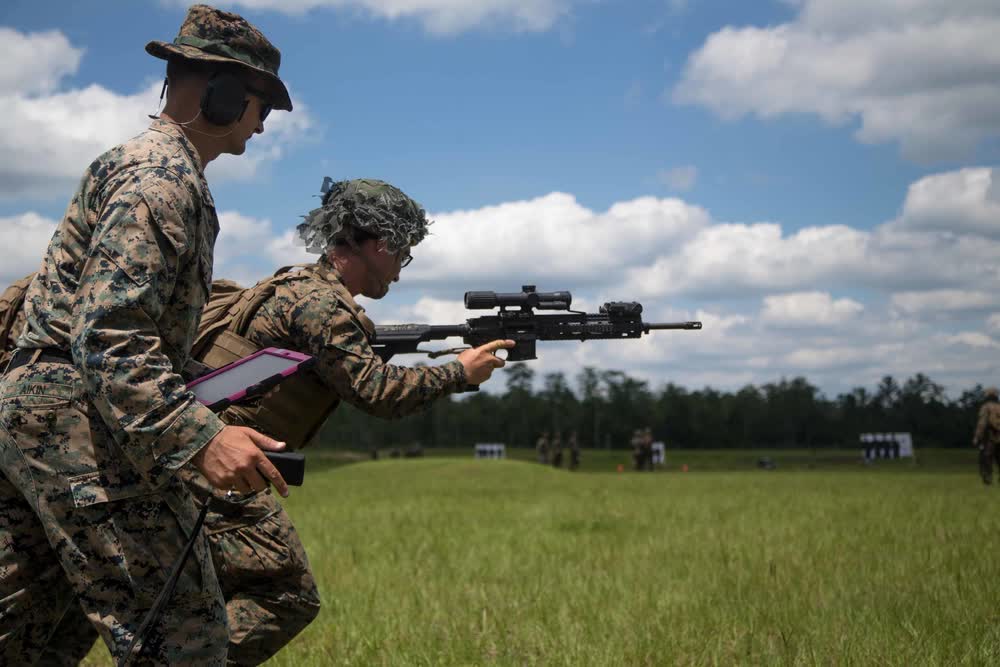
(82, 532)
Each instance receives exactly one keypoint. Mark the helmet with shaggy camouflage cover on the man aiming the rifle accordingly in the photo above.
(366, 204)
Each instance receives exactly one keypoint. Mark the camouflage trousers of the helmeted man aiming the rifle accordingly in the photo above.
(262, 568)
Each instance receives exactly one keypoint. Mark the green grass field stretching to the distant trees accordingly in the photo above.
(450, 561)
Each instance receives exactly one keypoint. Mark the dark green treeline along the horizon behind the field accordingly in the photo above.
(604, 407)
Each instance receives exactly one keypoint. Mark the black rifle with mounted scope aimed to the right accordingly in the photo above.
(615, 319)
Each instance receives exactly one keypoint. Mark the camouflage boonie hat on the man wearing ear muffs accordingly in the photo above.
(212, 35)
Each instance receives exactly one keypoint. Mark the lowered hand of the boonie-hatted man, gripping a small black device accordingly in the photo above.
(233, 461)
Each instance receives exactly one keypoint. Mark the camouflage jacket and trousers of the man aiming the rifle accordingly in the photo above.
(270, 591)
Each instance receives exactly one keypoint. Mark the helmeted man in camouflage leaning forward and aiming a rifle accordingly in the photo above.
(265, 575)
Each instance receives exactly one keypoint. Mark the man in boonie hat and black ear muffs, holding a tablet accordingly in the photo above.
(95, 420)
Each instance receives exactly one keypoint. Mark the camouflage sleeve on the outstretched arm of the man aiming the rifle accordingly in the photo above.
(319, 325)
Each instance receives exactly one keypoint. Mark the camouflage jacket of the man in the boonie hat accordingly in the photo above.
(121, 288)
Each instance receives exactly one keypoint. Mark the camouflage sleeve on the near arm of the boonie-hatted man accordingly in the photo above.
(128, 282)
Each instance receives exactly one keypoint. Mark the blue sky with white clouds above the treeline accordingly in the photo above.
(813, 178)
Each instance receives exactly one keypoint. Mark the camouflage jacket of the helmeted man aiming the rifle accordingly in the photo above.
(317, 315)
